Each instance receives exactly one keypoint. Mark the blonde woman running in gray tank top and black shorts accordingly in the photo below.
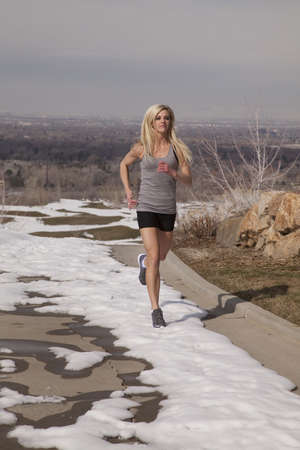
(165, 159)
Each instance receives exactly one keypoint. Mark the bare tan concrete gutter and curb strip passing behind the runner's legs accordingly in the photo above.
(271, 340)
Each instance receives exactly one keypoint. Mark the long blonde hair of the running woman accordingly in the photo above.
(183, 153)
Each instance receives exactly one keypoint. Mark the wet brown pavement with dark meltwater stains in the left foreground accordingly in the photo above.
(29, 366)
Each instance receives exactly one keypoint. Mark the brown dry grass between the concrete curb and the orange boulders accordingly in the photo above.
(273, 285)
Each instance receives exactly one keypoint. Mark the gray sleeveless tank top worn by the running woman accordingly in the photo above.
(157, 189)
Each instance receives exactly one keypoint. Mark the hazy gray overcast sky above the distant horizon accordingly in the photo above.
(206, 58)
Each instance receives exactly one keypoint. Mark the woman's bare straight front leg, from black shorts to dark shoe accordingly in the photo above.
(151, 242)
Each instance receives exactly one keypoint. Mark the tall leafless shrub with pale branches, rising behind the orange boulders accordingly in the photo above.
(240, 178)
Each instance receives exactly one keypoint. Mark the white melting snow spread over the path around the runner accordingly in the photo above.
(217, 396)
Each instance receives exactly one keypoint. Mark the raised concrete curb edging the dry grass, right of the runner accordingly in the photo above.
(232, 304)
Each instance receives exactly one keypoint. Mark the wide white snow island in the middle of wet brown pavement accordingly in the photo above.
(78, 360)
